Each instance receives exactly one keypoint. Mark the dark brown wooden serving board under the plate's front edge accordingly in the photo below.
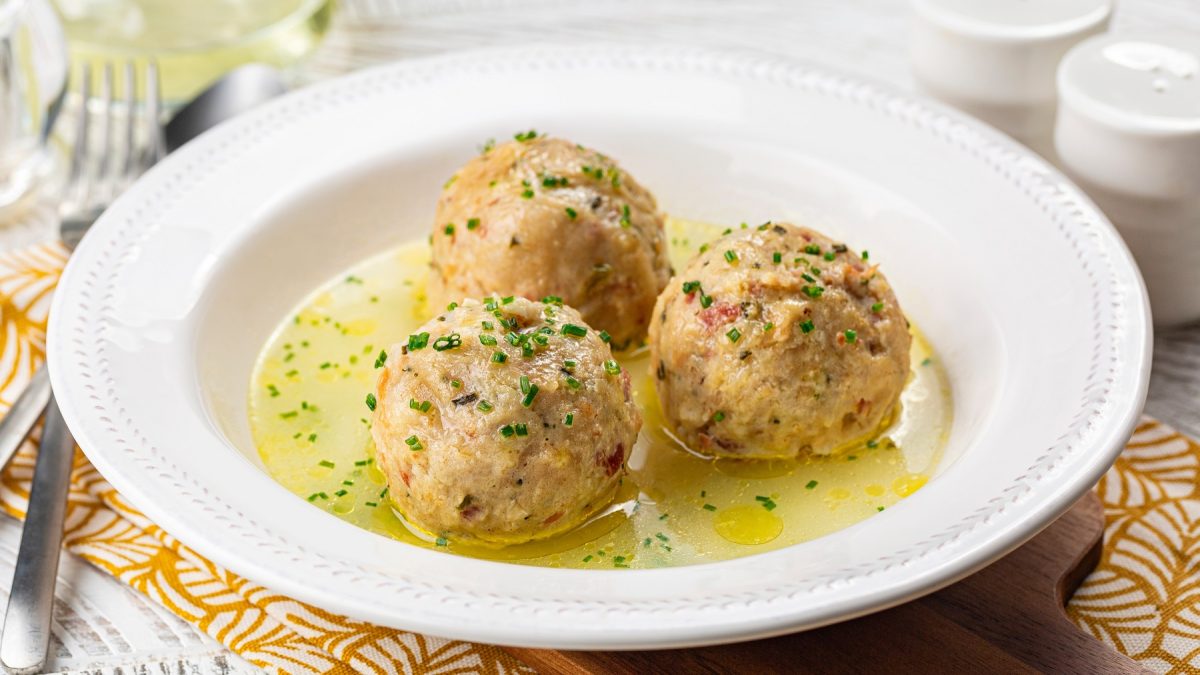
(1009, 618)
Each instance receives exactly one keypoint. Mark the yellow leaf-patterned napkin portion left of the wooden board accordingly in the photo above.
(274, 632)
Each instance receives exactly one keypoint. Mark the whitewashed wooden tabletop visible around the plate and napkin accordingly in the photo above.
(106, 629)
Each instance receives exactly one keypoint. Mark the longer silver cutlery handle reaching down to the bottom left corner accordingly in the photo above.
(27, 624)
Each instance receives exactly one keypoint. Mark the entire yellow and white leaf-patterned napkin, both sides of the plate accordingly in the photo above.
(1143, 600)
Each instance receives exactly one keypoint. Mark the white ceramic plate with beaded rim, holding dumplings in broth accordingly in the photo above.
(1024, 289)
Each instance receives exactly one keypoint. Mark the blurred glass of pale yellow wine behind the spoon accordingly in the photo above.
(194, 43)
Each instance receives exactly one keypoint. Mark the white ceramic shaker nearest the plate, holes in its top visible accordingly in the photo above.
(1129, 133)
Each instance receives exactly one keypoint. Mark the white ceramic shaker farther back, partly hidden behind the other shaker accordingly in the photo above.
(997, 59)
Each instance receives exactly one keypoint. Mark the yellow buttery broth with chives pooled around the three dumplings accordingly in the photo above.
(311, 426)
